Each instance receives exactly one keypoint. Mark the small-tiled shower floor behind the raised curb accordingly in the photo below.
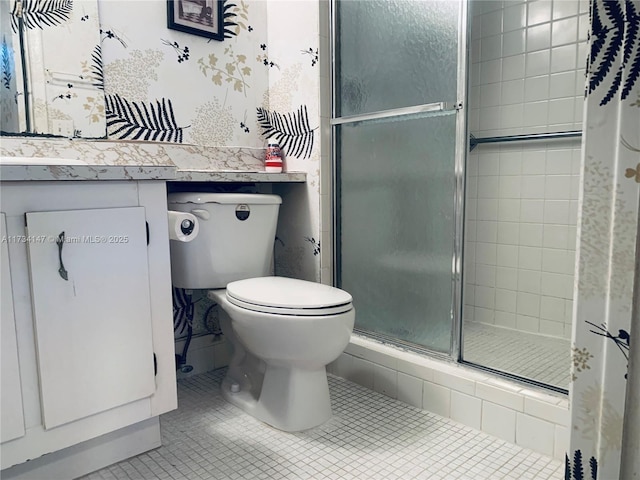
(539, 357)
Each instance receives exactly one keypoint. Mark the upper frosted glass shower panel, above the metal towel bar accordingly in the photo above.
(394, 54)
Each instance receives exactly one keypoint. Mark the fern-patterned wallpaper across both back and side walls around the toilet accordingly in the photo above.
(261, 81)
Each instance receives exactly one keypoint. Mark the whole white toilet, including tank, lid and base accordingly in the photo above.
(283, 331)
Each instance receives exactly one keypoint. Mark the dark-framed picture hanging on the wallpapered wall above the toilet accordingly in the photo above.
(198, 17)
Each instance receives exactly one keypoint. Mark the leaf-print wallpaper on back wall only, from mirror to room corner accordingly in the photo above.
(208, 88)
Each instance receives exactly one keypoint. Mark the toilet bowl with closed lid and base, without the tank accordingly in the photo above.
(281, 346)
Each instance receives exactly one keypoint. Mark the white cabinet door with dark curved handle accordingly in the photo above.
(92, 314)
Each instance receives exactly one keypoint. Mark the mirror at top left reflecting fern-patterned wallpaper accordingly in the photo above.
(51, 68)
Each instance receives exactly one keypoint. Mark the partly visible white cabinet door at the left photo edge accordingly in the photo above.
(12, 416)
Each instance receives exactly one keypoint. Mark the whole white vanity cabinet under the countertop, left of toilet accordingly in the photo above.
(91, 288)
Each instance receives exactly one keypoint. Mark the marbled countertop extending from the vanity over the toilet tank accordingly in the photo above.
(19, 173)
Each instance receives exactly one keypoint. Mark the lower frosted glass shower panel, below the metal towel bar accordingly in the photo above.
(396, 186)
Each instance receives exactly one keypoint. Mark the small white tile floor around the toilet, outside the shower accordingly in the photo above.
(370, 436)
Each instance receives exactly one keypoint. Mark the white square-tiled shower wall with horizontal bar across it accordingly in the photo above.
(526, 76)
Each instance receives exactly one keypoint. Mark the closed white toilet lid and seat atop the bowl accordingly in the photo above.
(288, 296)
